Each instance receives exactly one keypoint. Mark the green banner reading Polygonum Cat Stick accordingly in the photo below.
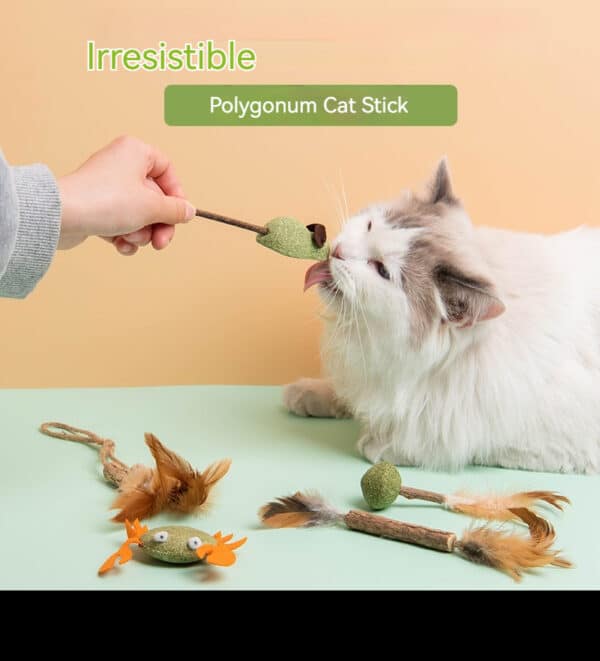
(310, 105)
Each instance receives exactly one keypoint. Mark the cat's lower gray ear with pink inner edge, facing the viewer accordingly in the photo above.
(467, 299)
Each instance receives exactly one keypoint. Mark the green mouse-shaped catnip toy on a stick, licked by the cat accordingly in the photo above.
(286, 236)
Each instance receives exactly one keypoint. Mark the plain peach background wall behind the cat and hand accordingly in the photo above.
(214, 307)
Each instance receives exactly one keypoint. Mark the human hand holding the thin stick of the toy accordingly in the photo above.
(126, 193)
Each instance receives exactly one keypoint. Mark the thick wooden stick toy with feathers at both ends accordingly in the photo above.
(509, 552)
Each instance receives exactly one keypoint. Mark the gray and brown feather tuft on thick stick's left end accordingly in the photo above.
(298, 511)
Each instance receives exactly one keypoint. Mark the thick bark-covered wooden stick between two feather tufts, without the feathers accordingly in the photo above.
(374, 524)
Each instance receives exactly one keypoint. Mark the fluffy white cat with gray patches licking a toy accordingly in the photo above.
(454, 344)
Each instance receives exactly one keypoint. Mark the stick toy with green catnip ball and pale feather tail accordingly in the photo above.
(382, 484)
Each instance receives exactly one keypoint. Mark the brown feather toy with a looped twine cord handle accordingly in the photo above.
(172, 485)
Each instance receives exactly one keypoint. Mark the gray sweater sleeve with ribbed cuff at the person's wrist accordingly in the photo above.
(29, 226)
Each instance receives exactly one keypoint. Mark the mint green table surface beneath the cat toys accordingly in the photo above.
(55, 521)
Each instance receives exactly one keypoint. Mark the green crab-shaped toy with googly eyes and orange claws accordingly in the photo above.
(175, 544)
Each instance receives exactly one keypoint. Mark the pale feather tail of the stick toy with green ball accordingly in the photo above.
(498, 507)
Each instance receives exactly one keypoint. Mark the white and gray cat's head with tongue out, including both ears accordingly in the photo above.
(411, 266)
